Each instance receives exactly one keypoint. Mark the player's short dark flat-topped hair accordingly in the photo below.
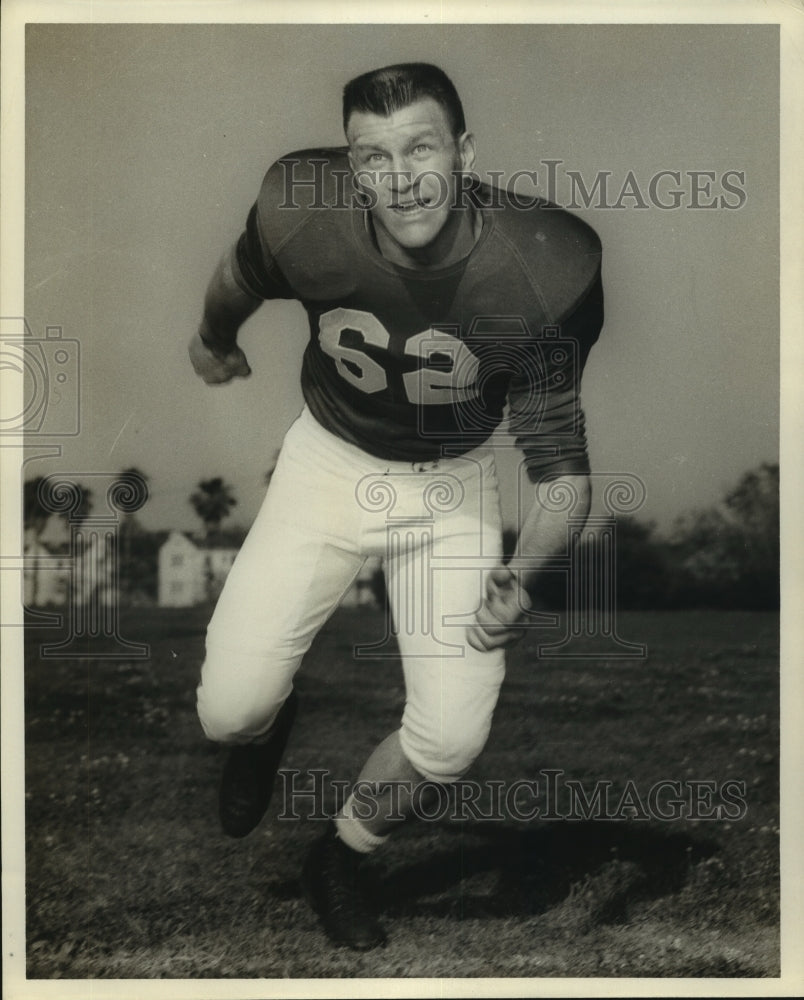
(383, 91)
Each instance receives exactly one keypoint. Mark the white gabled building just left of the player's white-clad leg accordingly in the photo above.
(191, 571)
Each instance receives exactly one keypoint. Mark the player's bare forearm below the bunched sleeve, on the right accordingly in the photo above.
(543, 532)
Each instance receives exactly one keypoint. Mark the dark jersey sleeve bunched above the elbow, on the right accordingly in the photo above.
(545, 414)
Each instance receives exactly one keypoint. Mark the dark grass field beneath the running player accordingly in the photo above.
(129, 876)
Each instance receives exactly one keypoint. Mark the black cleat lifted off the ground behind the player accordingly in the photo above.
(248, 775)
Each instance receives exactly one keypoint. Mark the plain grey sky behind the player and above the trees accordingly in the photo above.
(146, 145)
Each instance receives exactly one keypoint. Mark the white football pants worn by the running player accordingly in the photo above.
(330, 506)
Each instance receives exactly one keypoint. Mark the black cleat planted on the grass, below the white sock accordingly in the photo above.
(334, 886)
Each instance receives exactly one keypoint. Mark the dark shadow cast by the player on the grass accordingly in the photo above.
(504, 872)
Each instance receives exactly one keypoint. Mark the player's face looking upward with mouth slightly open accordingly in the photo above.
(405, 163)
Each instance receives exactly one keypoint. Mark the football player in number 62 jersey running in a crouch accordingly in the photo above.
(432, 300)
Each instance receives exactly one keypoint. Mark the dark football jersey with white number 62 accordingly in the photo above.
(411, 364)
